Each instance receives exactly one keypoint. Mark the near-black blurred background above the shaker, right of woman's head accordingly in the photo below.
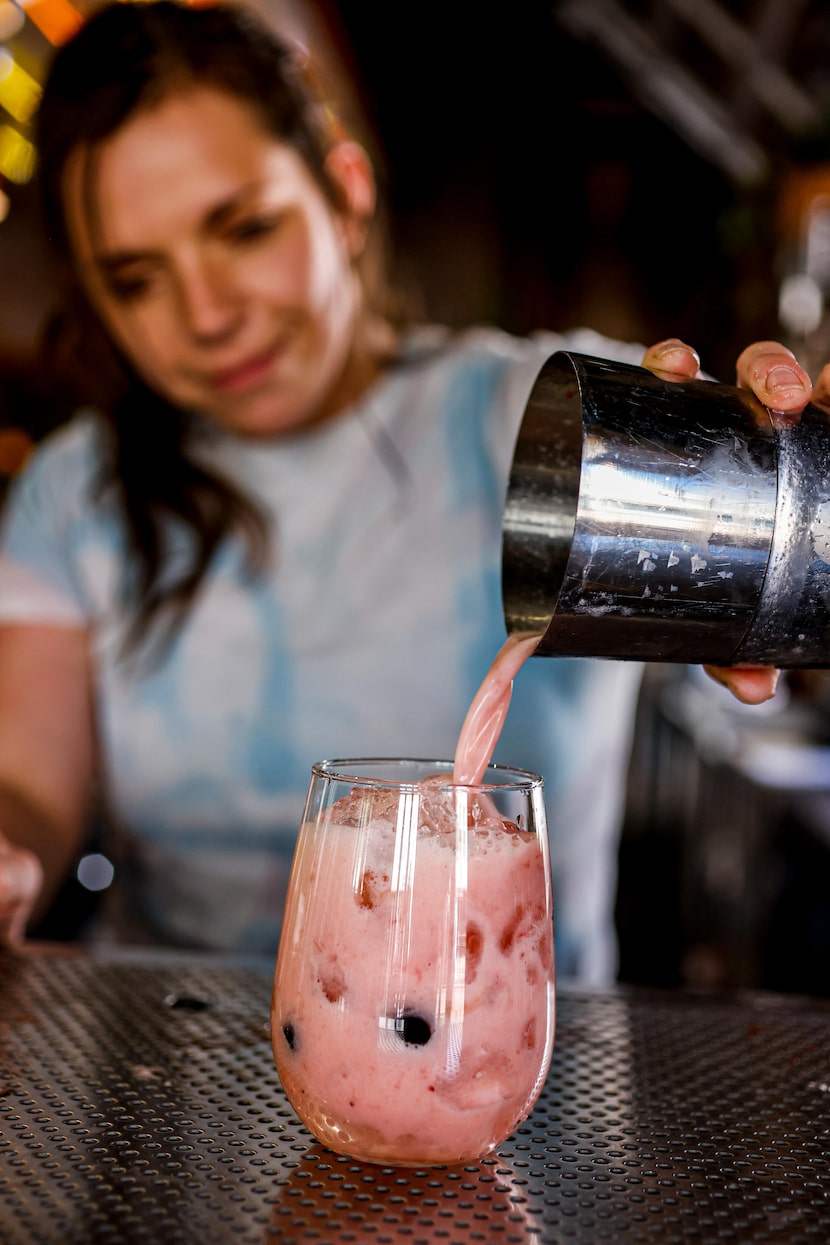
(531, 182)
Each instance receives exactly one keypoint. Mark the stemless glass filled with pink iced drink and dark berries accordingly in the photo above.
(413, 1014)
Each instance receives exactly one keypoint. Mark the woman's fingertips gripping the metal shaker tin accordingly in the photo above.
(778, 380)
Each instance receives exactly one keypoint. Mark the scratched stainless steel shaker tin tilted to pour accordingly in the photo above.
(656, 521)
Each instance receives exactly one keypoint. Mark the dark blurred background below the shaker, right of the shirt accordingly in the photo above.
(725, 863)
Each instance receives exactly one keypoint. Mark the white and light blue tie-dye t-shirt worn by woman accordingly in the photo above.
(368, 634)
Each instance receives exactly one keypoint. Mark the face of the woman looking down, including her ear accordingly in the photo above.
(218, 266)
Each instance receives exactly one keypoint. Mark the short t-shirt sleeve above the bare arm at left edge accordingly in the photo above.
(39, 527)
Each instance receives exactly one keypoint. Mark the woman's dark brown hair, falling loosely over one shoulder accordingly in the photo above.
(130, 57)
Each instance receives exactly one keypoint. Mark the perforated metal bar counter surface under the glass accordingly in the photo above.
(139, 1104)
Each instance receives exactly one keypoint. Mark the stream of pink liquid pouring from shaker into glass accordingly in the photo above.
(486, 716)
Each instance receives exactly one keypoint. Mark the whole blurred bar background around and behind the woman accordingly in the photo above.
(644, 167)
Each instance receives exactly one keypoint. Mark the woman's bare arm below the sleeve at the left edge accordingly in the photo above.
(47, 765)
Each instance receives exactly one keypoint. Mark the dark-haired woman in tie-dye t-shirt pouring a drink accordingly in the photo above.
(277, 537)
